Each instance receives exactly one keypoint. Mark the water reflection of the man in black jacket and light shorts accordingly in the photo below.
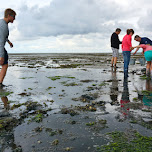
(114, 87)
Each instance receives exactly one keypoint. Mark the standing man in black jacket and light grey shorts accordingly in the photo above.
(115, 46)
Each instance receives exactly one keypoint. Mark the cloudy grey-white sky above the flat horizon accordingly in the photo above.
(74, 26)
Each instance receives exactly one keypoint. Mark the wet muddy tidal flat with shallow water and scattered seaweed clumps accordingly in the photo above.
(69, 102)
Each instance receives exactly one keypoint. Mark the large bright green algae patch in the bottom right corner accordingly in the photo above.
(124, 142)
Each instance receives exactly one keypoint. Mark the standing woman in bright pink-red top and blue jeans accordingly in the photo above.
(126, 50)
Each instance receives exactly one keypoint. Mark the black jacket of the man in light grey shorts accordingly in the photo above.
(115, 41)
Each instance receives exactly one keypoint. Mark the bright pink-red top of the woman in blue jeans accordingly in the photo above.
(126, 43)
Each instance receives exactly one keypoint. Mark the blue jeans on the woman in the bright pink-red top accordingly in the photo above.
(126, 56)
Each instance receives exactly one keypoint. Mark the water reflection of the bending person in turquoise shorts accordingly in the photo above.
(147, 97)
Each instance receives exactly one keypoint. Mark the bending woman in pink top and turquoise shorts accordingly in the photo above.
(147, 50)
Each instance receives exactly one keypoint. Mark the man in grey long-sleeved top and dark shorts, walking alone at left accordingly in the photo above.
(9, 17)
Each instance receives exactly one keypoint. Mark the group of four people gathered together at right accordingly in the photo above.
(144, 43)
